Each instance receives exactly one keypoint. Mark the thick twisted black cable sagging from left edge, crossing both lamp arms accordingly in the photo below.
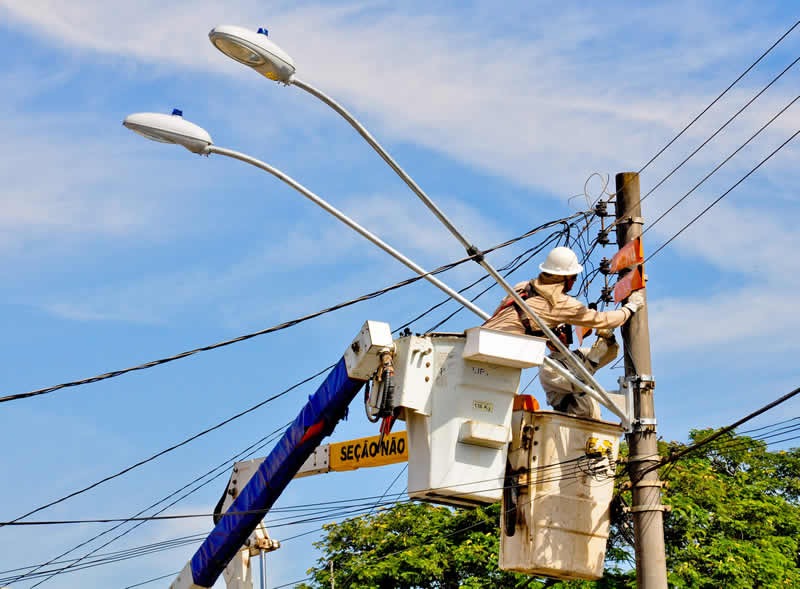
(274, 328)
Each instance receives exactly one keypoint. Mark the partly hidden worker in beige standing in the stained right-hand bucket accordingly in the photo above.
(562, 395)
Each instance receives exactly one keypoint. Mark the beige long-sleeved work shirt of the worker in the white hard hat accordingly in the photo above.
(554, 307)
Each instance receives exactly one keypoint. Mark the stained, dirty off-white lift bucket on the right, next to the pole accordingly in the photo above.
(563, 507)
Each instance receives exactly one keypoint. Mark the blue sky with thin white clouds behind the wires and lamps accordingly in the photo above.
(118, 251)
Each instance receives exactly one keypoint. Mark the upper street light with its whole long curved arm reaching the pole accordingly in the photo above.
(256, 50)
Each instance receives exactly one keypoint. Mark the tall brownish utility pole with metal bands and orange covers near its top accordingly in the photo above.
(648, 516)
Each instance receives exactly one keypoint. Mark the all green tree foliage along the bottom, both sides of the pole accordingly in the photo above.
(734, 523)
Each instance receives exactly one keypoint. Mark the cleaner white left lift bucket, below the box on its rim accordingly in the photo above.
(457, 420)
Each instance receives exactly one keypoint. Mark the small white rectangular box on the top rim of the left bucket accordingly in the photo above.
(504, 349)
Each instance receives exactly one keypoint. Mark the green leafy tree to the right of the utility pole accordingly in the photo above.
(735, 519)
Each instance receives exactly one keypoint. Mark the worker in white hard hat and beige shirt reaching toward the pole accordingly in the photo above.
(547, 296)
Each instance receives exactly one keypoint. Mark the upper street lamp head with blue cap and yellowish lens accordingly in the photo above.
(254, 49)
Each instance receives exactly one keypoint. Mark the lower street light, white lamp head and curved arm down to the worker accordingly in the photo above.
(175, 129)
